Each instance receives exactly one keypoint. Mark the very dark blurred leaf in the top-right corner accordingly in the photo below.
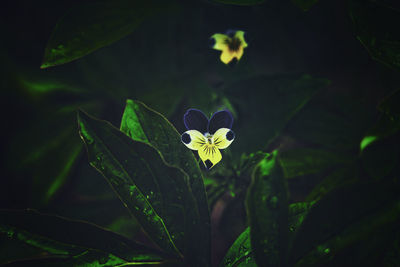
(376, 27)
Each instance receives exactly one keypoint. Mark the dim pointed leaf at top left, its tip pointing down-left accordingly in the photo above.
(90, 26)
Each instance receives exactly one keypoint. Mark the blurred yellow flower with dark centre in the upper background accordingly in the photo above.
(231, 44)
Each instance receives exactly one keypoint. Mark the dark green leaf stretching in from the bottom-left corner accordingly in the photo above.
(61, 236)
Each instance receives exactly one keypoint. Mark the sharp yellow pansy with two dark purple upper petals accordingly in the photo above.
(208, 136)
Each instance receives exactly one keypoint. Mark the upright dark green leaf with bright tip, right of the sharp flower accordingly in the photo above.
(267, 209)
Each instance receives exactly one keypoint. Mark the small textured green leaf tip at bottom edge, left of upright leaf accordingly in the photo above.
(240, 253)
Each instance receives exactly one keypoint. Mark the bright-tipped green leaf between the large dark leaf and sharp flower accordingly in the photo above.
(146, 125)
